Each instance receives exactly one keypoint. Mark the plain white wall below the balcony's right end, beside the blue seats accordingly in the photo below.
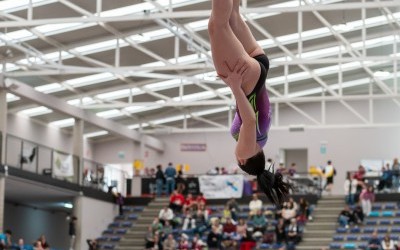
(93, 218)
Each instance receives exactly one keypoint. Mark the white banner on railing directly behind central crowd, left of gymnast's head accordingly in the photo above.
(221, 186)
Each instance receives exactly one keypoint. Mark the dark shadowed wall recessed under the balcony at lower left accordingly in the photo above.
(29, 224)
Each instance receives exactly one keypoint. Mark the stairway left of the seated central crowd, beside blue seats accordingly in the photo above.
(134, 239)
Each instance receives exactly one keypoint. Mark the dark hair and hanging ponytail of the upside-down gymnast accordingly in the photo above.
(270, 183)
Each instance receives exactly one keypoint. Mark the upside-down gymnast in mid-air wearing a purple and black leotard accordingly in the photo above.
(242, 64)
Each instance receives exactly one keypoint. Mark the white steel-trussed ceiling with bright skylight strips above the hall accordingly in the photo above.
(146, 65)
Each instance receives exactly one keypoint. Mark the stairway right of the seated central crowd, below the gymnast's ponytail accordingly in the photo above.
(318, 233)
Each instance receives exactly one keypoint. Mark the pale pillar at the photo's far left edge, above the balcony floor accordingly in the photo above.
(3, 121)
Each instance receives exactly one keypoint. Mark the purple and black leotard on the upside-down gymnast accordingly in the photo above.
(259, 100)
